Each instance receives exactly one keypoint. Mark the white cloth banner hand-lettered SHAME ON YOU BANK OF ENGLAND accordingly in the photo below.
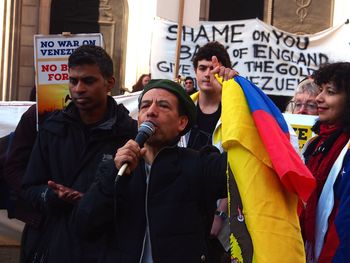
(274, 60)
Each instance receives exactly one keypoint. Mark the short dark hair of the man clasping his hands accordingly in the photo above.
(92, 55)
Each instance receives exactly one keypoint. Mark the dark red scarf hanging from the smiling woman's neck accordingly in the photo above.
(321, 155)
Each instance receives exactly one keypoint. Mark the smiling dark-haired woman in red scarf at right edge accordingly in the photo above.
(325, 221)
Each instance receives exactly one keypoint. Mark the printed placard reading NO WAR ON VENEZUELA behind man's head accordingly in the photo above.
(51, 54)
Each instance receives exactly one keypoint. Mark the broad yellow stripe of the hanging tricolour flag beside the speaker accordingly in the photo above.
(270, 210)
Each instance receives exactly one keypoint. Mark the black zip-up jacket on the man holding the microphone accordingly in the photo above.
(183, 185)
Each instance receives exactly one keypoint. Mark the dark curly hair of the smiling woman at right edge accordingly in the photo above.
(338, 74)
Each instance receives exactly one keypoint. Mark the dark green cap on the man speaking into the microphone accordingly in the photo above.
(185, 101)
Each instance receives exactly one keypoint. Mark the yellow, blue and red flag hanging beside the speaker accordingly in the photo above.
(267, 176)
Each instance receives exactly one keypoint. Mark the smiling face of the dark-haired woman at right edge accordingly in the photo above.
(331, 103)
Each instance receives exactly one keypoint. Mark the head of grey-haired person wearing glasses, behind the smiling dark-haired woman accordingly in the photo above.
(304, 100)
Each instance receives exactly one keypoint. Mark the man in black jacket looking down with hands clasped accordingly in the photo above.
(69, 146)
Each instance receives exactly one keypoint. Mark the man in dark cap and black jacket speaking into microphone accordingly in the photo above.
(154, 213)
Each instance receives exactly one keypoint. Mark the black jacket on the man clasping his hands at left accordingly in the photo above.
(69, 152)
